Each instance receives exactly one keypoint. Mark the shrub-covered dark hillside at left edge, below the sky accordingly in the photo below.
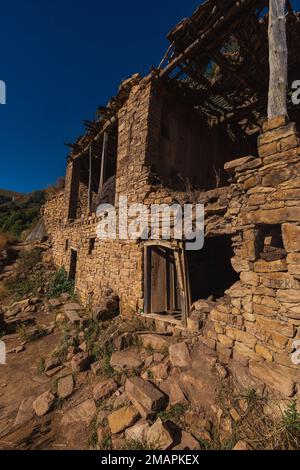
(19, 212)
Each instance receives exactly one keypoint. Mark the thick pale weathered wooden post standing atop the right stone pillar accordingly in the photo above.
(278, 58)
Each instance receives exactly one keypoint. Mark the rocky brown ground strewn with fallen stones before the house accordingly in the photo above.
(87, 379)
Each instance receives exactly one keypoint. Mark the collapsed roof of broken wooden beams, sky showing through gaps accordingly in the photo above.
(218, 60)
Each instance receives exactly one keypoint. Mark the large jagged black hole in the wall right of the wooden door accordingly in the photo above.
(210, 269)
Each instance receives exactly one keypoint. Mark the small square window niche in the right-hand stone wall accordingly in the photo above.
(269, 243)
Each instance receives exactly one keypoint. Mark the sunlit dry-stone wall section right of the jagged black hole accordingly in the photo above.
(255, 327)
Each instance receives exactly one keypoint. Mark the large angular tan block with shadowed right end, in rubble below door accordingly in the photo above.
(145, 396)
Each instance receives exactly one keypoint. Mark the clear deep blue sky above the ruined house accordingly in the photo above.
(62, 58)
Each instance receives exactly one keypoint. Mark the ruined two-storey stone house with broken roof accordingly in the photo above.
(196, 130)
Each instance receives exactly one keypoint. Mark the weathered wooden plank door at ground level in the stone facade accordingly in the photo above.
(162, 294)
